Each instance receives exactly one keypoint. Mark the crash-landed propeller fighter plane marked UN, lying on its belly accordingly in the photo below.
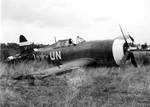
(72, 56)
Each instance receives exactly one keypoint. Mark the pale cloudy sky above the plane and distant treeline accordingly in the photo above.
(42, 20)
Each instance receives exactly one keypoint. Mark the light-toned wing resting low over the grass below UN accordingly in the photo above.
(63, 68)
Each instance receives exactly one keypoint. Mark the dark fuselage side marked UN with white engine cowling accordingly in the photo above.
(102, 52)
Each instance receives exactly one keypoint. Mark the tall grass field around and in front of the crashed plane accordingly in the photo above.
(92, 87)
